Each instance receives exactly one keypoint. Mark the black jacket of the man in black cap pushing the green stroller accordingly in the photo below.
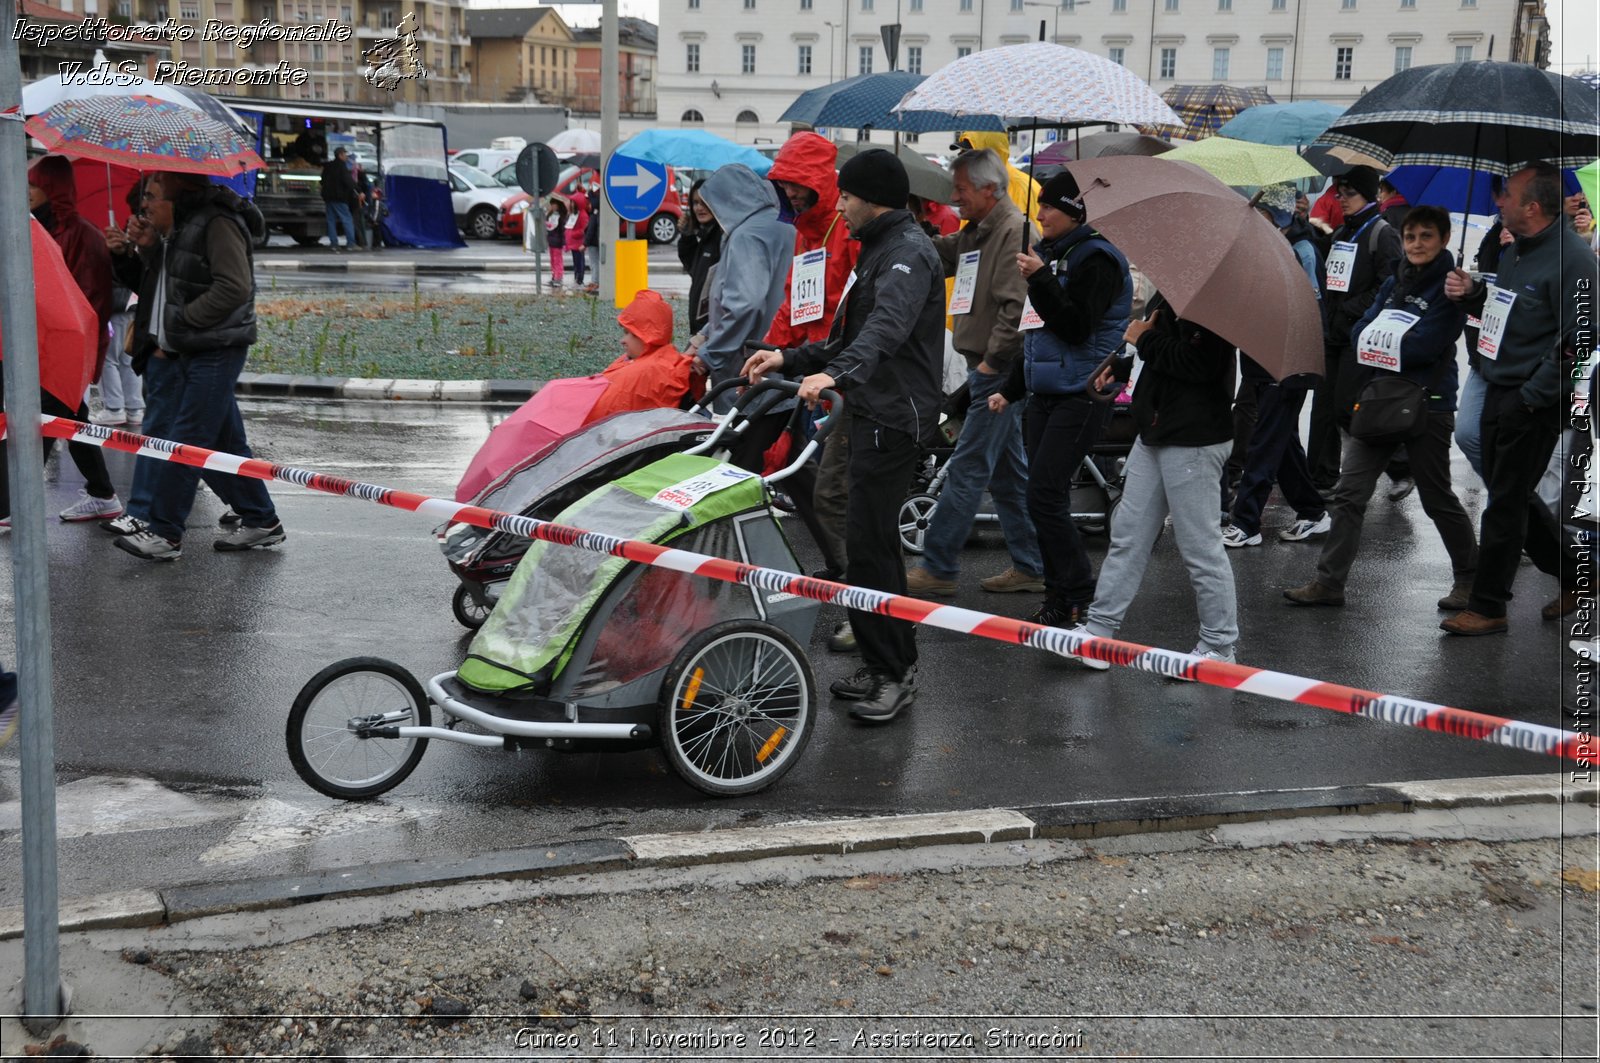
(887, 347)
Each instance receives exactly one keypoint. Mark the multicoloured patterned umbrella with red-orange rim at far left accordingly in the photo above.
(145, 134)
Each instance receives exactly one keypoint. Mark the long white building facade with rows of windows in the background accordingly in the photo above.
(735, 66)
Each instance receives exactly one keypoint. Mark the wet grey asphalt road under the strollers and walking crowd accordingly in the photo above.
(183, 675)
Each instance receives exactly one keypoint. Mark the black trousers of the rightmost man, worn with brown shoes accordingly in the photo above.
(1518, 446)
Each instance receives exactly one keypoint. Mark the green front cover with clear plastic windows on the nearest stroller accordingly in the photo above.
(530, 636)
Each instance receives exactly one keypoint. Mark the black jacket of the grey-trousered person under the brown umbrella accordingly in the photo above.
(1185, 396)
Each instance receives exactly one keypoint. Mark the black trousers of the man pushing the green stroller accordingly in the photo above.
(882, 462)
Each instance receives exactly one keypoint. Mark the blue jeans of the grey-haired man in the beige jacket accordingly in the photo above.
(990, 454)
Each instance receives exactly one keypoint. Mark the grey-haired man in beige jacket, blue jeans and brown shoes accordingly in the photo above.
(988, 310)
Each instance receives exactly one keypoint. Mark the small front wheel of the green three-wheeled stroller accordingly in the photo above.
(335, 728)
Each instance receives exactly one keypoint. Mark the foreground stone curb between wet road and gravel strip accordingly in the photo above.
(1071, 820)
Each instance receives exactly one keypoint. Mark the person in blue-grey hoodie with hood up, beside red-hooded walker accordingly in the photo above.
(748, 283)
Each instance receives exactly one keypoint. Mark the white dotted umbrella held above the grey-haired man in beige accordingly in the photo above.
(1050, 84)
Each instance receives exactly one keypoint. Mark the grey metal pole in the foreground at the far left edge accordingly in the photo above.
(44, 995)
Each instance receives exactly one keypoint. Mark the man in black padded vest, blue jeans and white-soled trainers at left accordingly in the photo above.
(201, 326)
